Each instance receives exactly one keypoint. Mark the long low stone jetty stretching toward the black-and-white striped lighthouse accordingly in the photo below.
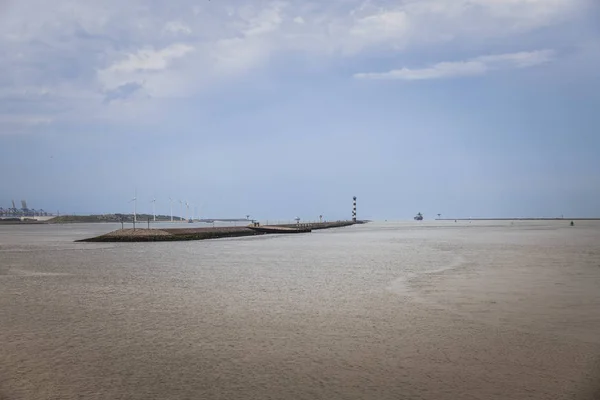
(182, 234)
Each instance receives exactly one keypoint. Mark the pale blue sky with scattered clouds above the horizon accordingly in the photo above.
(278, 109)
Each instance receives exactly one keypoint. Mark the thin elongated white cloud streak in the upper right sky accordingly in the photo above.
(471, 67)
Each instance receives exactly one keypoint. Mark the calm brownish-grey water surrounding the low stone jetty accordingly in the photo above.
(384, 311)
